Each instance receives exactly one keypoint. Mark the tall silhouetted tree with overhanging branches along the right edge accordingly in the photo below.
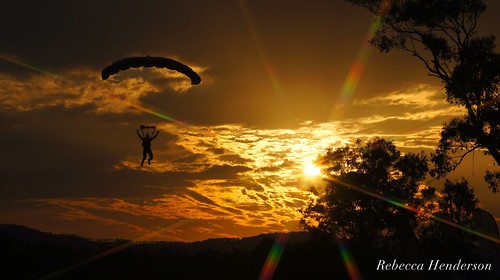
(443, 36)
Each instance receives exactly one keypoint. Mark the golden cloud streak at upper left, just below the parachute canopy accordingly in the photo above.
(84, 86)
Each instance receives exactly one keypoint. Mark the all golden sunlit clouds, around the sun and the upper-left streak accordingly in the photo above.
(228, 180)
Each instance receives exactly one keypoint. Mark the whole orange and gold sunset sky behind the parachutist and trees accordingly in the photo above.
(281, 82)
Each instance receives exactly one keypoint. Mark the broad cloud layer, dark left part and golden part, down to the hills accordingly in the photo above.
(76, 160)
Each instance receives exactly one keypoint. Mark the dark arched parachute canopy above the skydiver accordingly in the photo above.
(150, 61)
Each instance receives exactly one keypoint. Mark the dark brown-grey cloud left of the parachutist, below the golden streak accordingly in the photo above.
(60, 152)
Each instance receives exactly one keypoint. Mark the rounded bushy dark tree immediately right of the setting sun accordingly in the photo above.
(368, 188)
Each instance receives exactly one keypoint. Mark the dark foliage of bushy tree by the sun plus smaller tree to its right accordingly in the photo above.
(375, 196)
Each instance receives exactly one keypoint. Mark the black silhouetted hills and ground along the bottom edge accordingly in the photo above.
(32, 254)
